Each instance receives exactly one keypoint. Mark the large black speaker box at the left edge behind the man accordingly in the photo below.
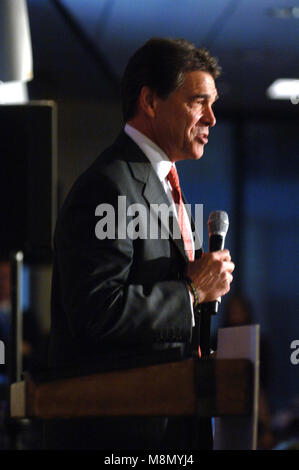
(28, 181)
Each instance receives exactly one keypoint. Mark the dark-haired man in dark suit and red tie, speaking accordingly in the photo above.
(117, 289)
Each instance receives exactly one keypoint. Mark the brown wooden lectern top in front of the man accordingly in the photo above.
(207, 387)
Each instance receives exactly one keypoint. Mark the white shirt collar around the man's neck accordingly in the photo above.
(159, 160)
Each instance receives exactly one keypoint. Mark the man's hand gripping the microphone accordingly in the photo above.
(211, 275)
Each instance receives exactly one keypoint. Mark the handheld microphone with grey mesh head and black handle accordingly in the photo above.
(218, 226)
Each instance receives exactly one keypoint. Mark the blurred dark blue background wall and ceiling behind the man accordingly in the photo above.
(80, 49)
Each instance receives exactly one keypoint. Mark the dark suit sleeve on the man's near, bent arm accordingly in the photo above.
(101, 302)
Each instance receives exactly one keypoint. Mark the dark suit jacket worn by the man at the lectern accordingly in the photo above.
(116, 296)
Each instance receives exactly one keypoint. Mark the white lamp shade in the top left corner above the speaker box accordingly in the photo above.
(15, 42)
